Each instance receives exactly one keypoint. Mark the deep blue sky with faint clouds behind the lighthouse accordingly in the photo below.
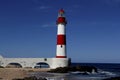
(28, 29)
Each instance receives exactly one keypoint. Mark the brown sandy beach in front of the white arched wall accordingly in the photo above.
(11, 73)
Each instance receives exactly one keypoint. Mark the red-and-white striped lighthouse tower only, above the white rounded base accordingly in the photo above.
(61, 35)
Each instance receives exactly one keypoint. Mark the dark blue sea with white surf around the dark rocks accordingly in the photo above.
(105, 70)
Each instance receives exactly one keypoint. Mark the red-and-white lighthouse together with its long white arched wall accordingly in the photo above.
(60, 60)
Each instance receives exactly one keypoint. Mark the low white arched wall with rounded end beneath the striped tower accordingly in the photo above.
(33, 62)
